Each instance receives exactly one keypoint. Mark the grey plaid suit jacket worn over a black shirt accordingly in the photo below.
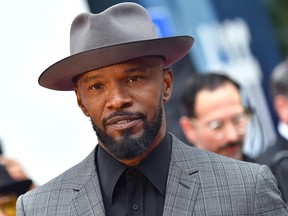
(199, 183)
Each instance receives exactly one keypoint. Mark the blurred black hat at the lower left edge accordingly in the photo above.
(8, 185)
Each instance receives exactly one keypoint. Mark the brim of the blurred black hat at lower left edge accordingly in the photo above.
(16, 187)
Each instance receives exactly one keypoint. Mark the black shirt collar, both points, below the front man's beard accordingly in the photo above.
(155, 167)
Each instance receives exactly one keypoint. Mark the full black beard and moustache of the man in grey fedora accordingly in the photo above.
(129, 147)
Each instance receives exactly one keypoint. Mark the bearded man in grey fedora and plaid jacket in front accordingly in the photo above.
(119, 70)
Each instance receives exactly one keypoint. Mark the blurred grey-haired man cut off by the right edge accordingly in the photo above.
(274, 155)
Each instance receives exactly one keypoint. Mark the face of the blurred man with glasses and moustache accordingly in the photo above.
(219, 125)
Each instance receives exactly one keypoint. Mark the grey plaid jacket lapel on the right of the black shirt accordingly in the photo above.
(183, 181)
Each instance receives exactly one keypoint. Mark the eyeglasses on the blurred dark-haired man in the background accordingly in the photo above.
(218, 128)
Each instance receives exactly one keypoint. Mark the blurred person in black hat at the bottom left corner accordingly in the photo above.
(10, 189)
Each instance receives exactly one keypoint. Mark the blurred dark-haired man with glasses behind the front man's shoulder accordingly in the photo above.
(215, 118)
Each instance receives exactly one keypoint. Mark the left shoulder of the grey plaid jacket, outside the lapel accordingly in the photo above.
(58, 192)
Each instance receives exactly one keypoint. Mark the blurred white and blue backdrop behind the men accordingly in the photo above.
(47, 132)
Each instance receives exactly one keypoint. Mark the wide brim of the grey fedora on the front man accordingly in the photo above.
(59, 75)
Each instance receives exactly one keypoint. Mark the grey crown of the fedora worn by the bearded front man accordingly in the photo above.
(122, 23)
